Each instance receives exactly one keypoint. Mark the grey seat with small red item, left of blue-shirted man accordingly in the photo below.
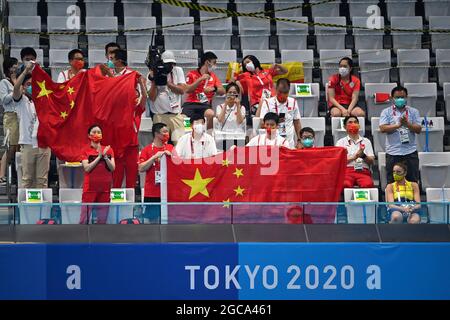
(374, 106)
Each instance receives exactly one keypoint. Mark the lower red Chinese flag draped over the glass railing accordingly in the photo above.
(256, 174)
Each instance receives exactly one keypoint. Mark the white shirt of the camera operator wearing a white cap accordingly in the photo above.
(166, 100)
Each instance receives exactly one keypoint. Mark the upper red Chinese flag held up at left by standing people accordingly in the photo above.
(66, 111)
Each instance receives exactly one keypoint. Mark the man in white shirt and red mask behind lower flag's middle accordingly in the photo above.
(271, 136)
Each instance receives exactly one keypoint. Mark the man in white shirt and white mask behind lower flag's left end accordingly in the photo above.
(197, 144)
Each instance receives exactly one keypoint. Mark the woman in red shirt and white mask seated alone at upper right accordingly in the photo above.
(343, 91)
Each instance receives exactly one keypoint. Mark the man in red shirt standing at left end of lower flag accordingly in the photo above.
(149, 162)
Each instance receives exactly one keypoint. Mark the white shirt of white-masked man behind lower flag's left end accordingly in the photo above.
(203, 147)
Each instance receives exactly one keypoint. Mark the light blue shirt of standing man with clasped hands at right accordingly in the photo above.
(392, 115)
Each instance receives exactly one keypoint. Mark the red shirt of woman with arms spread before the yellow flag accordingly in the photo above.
(254, 84)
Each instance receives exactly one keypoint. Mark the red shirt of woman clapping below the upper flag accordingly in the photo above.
(100, 178)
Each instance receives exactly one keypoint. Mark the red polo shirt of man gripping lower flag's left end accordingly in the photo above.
(151, 189)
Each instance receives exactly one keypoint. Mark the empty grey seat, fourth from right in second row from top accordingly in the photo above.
(331, 38)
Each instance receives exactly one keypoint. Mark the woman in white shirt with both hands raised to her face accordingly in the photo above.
(231, 114)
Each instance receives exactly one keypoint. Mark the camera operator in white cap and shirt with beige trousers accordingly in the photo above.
(165, 100)
